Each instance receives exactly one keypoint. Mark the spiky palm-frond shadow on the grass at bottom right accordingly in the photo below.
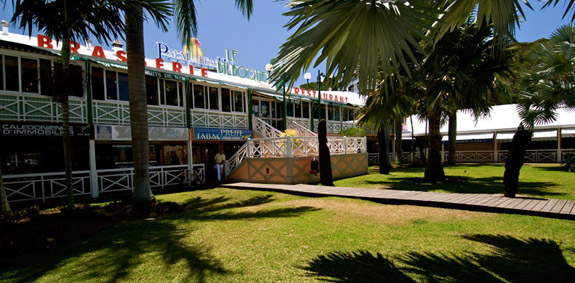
(511, 259)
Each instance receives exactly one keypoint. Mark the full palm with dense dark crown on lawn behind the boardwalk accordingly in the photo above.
(461, 72)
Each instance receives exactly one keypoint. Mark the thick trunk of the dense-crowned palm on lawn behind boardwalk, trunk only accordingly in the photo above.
(434, 169)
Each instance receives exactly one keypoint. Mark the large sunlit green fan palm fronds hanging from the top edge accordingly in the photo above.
(363, 37)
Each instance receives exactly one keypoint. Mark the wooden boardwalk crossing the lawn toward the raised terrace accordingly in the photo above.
(554, 208)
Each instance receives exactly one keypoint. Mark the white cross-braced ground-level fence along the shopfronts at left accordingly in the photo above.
(25, 187)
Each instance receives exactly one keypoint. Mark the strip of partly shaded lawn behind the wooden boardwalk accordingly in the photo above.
(548, 181)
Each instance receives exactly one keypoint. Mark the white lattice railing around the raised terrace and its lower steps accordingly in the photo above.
(287, 147)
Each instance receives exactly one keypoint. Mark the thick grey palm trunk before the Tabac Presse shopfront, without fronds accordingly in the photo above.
(138, 103)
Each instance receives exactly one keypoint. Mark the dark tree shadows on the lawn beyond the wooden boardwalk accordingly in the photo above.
(467, 185)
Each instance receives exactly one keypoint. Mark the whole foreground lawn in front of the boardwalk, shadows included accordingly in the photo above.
(253, 236)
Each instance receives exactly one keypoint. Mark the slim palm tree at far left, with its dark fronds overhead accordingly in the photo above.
(64, 21)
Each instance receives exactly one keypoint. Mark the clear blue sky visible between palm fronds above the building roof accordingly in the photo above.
(222, 26)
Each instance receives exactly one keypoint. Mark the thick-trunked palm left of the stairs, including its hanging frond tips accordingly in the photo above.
(185, 14)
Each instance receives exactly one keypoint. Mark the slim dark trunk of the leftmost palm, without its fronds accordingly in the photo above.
(65, 103)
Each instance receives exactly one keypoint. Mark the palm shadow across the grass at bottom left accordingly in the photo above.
(119, 252)
